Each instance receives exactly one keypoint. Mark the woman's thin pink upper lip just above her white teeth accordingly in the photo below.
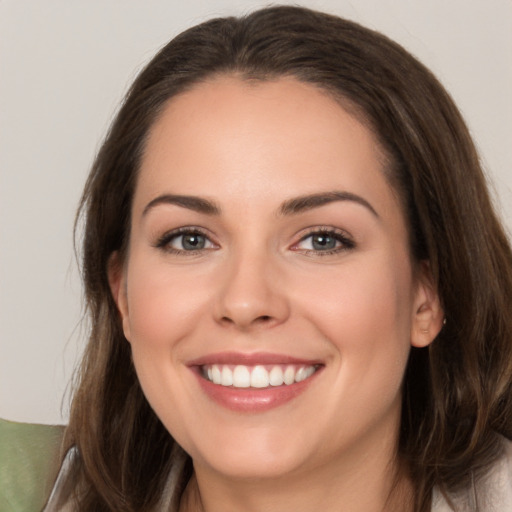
(250, 359)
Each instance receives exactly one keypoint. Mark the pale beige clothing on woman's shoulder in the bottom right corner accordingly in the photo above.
(492, 492)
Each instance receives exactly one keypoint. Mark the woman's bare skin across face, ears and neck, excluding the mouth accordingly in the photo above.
(259, 285)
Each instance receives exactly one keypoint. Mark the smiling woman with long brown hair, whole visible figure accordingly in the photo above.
(298, 289)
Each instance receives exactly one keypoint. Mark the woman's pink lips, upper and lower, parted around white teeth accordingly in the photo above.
(251, 400)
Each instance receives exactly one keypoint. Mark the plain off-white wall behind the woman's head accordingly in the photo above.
(64, 67)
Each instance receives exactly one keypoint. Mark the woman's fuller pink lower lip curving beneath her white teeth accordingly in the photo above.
(253, 399)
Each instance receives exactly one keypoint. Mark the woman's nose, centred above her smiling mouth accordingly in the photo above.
(251, 294)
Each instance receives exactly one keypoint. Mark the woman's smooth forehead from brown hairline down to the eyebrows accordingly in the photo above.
(250, 147)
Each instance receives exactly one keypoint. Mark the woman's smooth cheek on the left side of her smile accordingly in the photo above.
(162, 307)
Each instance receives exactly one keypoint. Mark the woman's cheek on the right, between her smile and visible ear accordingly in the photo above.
(365, 317)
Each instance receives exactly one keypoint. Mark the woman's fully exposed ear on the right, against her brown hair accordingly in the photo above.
(428, 314)
